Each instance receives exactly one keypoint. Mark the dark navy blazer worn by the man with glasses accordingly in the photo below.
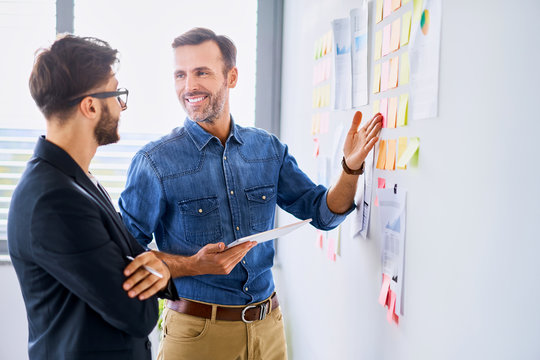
(68, 246)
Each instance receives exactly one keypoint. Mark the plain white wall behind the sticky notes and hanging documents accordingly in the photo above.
(471, 245)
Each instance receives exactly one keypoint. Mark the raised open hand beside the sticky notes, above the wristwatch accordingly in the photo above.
(359, 142)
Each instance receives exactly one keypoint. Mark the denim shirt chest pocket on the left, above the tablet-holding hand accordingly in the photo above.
(201, 220)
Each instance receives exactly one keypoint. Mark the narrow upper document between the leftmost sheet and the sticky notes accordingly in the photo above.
(359, 34)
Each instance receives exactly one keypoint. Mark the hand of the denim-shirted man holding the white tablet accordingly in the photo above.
(216, 259)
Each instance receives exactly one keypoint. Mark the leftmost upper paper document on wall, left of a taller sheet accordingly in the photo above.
(342, 64)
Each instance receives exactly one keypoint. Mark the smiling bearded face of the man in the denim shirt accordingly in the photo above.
(201, 84)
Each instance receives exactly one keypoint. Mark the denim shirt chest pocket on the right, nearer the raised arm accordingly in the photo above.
(262, 206)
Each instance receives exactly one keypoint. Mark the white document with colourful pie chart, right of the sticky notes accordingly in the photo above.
(424, 61)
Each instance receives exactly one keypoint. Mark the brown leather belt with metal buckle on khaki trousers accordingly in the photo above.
(247, 314)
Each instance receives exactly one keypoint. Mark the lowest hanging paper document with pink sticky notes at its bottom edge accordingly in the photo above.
(392, 213)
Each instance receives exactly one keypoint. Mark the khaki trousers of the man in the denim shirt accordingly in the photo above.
(194, 338)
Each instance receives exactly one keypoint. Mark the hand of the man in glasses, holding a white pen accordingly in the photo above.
(142, 283)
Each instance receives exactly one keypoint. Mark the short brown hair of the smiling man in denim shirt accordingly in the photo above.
(197, 36)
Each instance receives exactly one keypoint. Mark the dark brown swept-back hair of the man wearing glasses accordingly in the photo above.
(71, 67)
